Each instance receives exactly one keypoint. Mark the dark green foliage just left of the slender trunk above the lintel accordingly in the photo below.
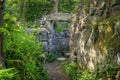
(36, 8)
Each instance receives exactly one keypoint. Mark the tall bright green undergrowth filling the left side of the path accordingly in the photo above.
(22, 52)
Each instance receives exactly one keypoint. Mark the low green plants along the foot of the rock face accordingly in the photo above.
(74, 72)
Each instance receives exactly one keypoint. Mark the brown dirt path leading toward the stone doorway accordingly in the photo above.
(55, 71)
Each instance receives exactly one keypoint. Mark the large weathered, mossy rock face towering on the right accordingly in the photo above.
(95, 33)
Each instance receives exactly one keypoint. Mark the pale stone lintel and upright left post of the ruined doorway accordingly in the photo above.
(48, 22)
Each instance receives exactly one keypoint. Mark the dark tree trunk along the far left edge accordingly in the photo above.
(1, 34)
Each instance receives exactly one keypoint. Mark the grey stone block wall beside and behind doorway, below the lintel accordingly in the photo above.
(60, 43)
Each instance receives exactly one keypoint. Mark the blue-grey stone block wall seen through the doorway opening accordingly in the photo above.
(61, 41)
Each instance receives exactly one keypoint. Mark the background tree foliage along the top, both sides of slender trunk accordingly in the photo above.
(30, 10)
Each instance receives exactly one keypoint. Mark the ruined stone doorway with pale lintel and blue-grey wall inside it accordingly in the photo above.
(56, 42)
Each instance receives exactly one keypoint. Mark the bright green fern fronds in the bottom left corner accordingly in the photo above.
(6, 74)
